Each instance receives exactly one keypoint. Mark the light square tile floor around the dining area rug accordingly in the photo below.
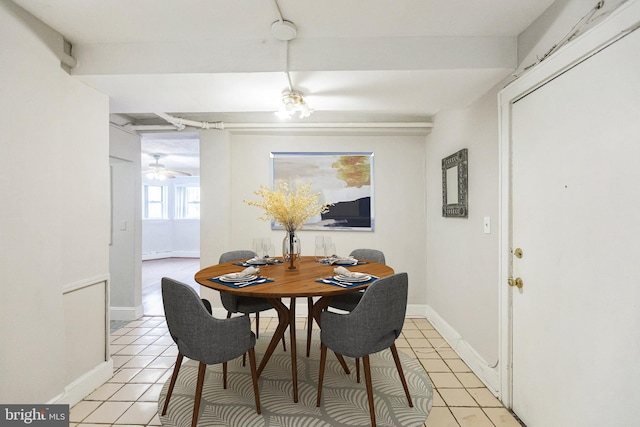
(144, 354)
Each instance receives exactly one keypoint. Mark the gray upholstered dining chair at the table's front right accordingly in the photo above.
(372, 326)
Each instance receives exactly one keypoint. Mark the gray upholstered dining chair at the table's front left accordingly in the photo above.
(200, 336)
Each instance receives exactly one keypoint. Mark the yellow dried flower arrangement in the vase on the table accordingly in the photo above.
(290, 205)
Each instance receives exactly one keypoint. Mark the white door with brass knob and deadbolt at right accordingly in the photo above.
(576, 217)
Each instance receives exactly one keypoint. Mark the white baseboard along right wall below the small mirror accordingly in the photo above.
(490, 376)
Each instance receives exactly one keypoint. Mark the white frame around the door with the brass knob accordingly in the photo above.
(620, 22)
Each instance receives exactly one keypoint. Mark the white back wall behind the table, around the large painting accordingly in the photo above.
(242, 164)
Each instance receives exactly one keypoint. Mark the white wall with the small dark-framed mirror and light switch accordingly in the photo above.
(462, 267)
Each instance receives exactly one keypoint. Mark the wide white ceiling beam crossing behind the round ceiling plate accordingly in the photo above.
(333, 54)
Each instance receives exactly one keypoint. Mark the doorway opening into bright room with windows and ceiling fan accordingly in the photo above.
(170, 213)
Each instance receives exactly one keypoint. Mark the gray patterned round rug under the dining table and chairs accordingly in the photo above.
(344, 401)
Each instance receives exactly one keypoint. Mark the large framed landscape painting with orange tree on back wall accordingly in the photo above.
(342, 178)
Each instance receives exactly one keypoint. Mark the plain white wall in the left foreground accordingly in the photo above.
(54, 219)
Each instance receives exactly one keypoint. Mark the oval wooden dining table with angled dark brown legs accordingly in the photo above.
(287, 283)
